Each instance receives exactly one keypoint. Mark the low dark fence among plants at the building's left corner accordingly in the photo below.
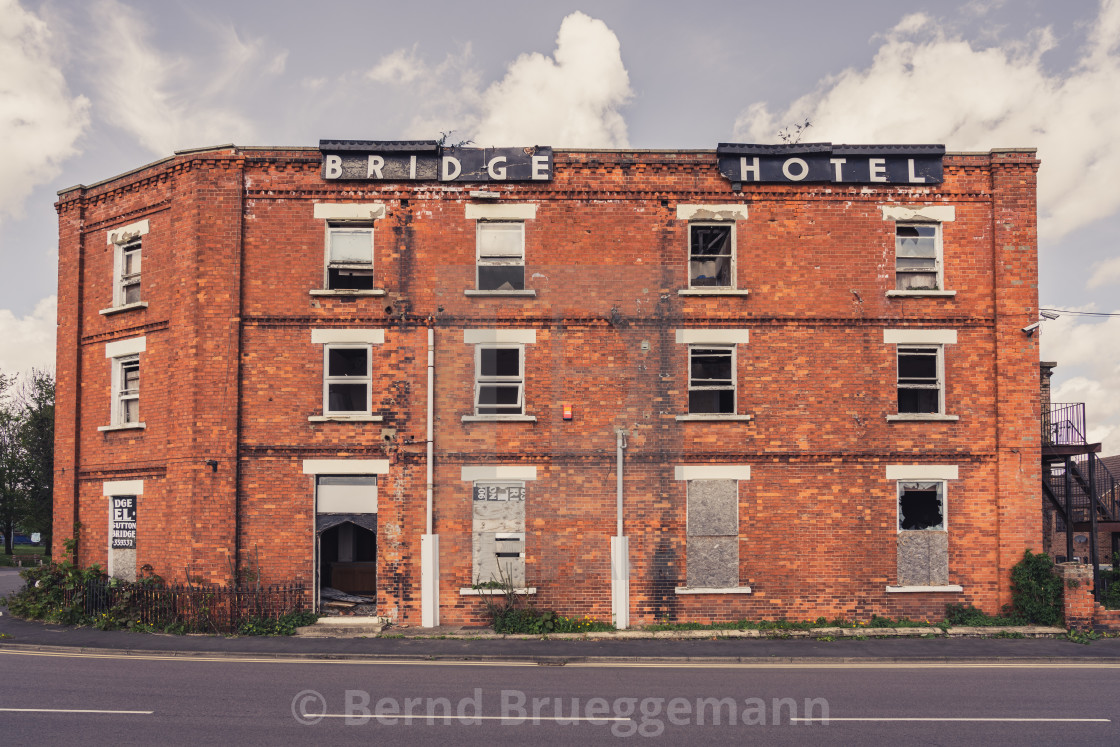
(202, 609)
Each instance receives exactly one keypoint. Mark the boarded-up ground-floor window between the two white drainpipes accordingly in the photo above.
(499, 536)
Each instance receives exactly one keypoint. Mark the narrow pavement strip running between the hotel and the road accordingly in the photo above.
(466, 645)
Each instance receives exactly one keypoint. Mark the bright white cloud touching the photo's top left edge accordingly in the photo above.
(41, 123)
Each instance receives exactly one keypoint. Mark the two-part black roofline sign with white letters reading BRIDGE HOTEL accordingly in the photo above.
(426, 161)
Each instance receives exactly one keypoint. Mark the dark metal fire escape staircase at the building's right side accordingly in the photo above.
(1076, 482)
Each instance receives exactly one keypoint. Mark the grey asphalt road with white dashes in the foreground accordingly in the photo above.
(107, 698)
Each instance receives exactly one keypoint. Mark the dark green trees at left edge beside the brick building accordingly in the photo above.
(27, 455)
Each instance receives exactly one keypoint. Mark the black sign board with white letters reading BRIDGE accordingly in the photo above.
(426, 161)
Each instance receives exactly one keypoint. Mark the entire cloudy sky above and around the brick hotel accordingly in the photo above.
(90, 89)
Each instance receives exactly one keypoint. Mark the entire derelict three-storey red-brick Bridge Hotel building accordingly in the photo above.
(753, 382)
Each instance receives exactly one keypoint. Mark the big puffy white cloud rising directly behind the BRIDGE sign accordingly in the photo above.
(572, 99)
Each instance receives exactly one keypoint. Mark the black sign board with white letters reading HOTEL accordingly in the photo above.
(823, 162)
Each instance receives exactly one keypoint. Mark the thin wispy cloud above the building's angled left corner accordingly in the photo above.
(161, 100)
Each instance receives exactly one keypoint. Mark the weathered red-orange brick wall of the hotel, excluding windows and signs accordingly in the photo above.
(231, 376)
